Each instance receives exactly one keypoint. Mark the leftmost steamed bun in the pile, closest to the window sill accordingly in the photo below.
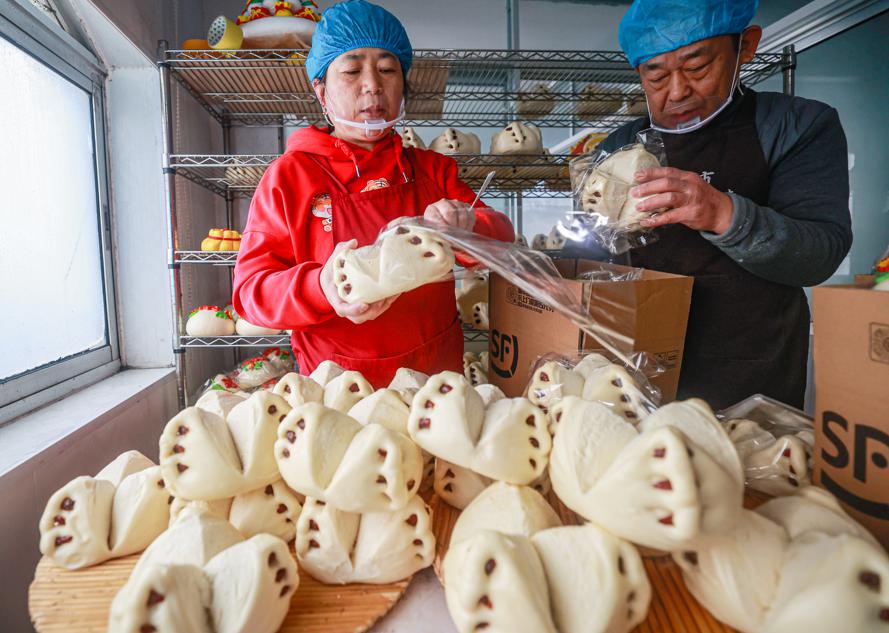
(118, 512)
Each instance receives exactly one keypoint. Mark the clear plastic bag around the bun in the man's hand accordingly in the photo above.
(605, 211)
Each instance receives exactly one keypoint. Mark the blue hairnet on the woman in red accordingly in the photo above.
(356, 24)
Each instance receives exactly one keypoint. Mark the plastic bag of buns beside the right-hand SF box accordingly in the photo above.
(775, 442)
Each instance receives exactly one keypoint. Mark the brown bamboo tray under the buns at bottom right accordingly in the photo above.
(673, 609)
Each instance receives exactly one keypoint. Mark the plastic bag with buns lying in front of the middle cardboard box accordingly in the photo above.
(595, 377)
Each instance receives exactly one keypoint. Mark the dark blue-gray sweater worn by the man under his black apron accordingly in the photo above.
(805, 231)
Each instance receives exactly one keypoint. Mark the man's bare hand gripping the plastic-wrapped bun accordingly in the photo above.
(685, 198)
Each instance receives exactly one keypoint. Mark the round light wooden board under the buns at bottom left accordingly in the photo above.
(65, 601)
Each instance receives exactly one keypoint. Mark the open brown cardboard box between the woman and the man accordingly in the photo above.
(652, 310)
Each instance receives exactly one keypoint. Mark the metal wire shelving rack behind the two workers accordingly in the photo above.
(447, 88)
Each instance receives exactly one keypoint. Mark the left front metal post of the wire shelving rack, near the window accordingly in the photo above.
(170, 204)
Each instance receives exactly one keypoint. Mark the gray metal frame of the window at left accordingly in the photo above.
(36, 35)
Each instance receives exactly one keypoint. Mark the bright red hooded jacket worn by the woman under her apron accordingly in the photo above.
(285, 245)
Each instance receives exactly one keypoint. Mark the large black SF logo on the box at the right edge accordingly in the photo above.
(869, 457)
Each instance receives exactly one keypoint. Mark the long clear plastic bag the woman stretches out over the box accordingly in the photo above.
(536, 274)
